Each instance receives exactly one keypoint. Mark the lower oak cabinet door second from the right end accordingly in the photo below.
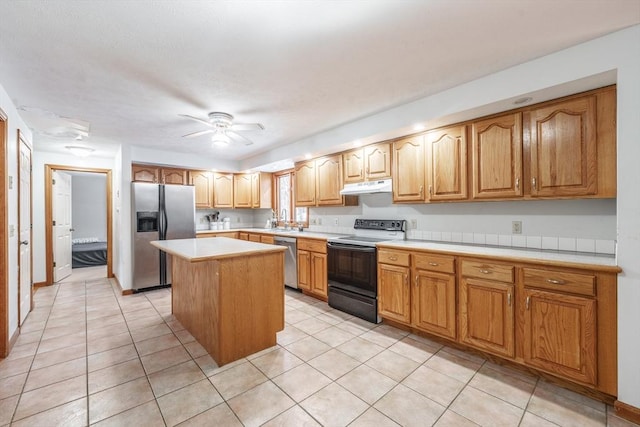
(486, 315)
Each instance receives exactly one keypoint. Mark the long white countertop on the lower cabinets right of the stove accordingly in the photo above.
(522, 254)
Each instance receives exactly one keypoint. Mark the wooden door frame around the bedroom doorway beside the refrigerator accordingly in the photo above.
(48, 215)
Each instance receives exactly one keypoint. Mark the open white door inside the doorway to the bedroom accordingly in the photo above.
(61, 225)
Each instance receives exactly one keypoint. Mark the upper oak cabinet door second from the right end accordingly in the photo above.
(496, 157)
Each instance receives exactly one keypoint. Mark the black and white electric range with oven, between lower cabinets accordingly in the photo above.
(352, 266)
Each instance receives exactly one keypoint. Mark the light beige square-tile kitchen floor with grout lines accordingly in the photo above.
(87, 355)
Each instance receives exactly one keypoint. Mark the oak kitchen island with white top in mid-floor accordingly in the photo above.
(228, 293)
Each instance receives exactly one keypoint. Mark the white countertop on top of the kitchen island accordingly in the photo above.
(205, 249)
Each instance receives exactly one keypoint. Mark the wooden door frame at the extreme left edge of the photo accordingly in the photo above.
(4, 241)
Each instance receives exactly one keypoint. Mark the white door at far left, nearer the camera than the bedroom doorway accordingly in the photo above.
(24, 224)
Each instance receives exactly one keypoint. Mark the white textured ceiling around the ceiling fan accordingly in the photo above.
(128, 69)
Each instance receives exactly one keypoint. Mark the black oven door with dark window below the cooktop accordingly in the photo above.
(352, 268)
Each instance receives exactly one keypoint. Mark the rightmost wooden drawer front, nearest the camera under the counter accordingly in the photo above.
(560, 281)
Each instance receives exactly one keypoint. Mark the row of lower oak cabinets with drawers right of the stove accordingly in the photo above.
(560, 320)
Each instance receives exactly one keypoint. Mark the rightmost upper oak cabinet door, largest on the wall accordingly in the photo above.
(563, 149)
